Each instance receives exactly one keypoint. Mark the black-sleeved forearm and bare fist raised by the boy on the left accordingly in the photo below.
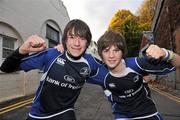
(32, 44)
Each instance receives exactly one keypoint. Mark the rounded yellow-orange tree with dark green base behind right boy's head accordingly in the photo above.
(127, 24)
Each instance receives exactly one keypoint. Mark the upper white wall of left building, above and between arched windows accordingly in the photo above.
(28, 16)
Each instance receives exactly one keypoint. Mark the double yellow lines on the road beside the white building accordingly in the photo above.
(15, 106)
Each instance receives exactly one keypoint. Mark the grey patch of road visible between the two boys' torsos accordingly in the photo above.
(92, 104)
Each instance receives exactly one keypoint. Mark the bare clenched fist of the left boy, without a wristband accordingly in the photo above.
(34, 43)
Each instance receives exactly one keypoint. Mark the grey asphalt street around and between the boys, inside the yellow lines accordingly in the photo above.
(92, 105)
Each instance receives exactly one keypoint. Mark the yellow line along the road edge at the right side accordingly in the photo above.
(170, 96)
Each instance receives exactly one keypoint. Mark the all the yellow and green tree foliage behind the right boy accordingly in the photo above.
(132, 26)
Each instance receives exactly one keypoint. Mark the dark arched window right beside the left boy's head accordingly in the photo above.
(52, 35)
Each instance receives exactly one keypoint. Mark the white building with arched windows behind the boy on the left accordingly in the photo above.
(18, 20)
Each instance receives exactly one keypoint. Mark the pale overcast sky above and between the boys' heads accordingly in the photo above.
(98, 13)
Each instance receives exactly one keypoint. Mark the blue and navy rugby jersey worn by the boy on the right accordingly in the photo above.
(126, 92)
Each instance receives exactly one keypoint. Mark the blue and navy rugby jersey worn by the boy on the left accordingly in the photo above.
(61, 83)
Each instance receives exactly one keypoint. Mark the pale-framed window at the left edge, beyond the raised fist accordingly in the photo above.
(8, 45)
